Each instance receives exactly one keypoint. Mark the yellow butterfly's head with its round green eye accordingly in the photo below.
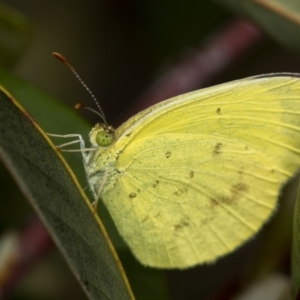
(102, 135)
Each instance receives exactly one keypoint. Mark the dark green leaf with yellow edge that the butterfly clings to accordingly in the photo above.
(54, 194)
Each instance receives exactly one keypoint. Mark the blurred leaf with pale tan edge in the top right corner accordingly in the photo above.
(279, 18)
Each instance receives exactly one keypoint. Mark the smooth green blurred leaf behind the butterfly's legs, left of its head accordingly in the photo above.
(52, 115)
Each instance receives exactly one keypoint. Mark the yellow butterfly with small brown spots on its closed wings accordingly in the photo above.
(192, 178)
